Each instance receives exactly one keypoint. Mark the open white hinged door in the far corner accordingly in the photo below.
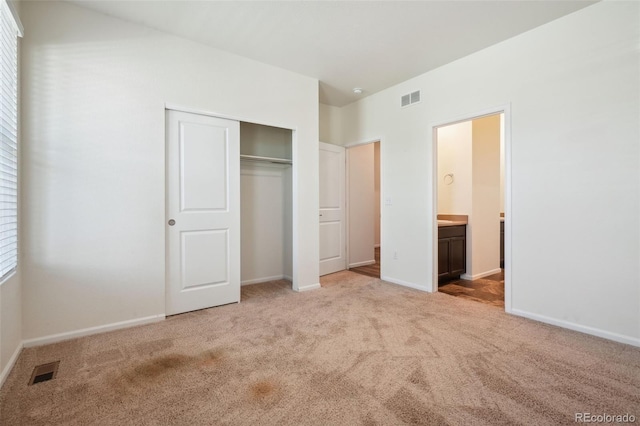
(332, 210)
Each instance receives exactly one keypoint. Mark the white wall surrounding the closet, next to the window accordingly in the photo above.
(94, 94)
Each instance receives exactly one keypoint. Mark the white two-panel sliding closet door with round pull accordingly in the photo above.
(203, 212)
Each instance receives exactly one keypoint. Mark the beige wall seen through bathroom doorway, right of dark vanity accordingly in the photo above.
(483, 231)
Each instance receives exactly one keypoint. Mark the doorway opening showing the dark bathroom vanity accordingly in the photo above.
(471, 208)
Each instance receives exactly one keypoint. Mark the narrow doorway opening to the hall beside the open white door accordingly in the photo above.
(363, 209)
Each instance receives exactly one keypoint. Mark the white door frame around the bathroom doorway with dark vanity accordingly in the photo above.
(508, 217)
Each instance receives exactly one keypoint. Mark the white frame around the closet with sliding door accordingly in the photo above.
(294, 195)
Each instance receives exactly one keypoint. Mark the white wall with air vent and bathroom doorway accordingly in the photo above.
(572, 86)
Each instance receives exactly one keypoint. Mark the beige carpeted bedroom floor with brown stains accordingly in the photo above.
(357, 351)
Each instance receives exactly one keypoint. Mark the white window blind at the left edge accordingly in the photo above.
(8, 140)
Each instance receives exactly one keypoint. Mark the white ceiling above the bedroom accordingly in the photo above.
(344, 44)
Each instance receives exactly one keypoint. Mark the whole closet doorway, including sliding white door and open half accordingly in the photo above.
(229, 209)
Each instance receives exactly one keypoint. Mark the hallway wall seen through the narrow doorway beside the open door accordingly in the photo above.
(361, 204)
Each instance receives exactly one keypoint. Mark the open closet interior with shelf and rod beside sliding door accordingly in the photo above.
(265, 203)
